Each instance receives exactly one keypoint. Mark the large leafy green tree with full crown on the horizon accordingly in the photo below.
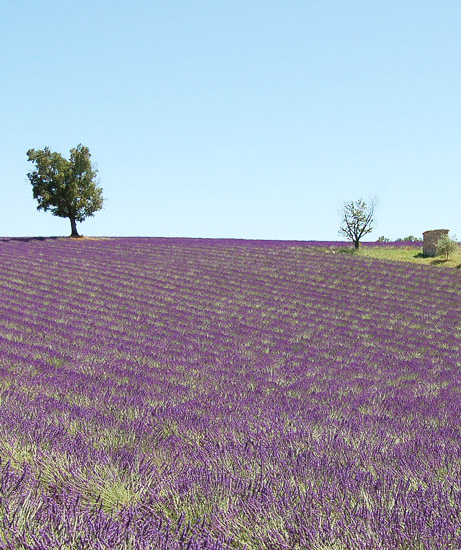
(67, 188)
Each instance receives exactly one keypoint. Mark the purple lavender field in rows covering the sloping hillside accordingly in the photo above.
(225, 394)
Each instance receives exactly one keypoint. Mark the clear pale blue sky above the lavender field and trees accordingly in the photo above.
(247, 119)
